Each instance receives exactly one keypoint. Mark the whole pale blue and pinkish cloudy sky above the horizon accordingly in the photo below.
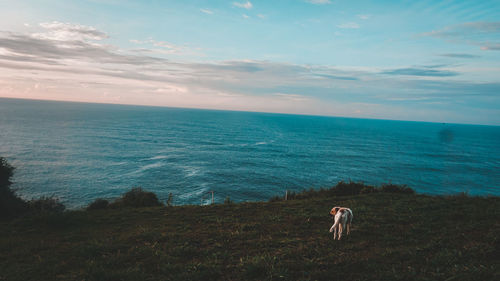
(436, 61)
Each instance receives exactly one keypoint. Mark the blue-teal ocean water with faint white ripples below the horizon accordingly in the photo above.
(79, 152)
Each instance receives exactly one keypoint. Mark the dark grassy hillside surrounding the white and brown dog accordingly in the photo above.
(394, 237)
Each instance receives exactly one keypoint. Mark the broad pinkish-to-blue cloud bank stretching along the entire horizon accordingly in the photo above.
(86, 70)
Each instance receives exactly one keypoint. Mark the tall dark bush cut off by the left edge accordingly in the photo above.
(10, 204)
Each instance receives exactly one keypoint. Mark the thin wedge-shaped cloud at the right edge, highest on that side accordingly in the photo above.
(482, 34)
